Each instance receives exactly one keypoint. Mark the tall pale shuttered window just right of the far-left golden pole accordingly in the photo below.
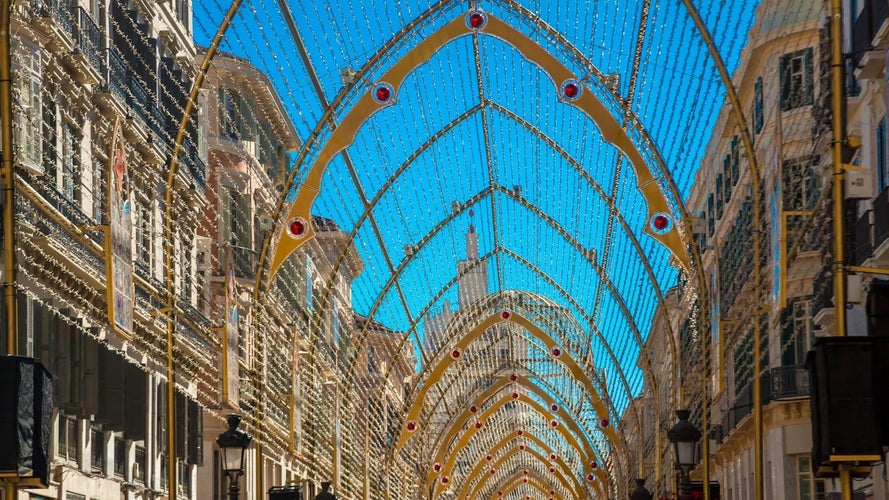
(28, 68)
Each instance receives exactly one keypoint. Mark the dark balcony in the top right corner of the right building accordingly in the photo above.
(868, 38)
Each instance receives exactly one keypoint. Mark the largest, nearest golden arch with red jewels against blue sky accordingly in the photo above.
(611, 129)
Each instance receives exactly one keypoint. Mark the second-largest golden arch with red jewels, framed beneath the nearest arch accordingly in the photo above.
(413, 415)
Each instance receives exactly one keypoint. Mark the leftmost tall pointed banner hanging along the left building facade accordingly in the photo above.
(119, 238)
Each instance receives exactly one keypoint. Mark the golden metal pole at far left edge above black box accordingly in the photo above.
(7, 172)
